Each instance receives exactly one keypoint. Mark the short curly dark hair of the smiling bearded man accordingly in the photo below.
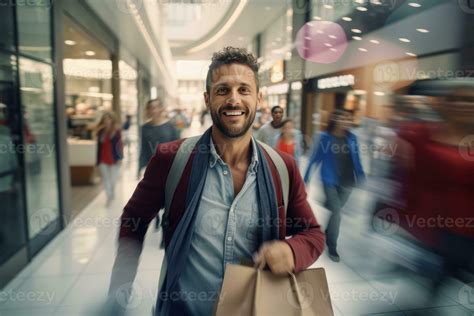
(231, 55)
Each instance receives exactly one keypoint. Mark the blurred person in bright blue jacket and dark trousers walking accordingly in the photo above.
(341, 169)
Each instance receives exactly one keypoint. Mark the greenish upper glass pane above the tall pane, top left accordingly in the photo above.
(34, 28)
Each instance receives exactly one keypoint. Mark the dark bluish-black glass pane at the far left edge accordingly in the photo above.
(12, 228)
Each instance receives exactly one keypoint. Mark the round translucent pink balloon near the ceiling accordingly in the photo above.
(321, 42)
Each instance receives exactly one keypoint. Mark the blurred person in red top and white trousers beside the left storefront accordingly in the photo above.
(109, 152)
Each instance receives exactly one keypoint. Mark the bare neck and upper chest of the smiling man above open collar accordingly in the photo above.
(233, 151)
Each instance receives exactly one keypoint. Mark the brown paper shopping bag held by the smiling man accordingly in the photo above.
(248, 291)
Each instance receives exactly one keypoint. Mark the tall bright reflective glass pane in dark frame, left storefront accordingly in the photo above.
(39, 151)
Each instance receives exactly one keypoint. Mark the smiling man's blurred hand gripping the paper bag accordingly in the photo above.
(278, 255)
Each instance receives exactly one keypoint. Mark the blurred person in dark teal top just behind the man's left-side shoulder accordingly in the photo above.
(156, 130)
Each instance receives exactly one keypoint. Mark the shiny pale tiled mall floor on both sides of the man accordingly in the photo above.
(71, 275)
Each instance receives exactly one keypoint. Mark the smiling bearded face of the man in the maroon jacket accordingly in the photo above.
(233, 99)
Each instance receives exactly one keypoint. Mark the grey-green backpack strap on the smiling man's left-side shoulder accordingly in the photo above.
(177, 168)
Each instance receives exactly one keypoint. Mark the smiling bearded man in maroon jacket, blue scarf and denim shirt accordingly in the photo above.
(228, 204)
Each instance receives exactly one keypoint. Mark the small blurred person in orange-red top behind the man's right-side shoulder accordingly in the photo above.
(289, 140)
